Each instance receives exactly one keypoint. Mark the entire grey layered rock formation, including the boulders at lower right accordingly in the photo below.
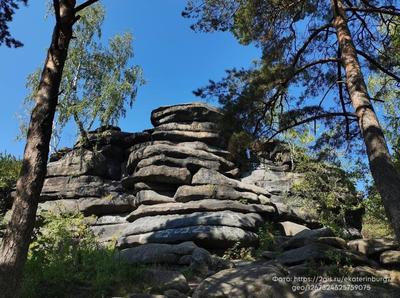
(165, 194)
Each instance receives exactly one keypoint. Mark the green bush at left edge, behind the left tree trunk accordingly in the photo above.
(9, 172)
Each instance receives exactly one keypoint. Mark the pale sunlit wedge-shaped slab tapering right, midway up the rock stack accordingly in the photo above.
(206, 176)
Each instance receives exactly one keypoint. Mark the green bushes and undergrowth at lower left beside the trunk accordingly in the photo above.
(65, 261)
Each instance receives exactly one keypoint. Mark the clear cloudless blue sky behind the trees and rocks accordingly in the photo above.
(175, 60)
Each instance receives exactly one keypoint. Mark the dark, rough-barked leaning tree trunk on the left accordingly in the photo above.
(15, 244)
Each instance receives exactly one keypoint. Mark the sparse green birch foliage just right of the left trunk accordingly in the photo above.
(98, 83)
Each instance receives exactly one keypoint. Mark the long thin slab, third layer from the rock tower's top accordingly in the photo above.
(178, 136)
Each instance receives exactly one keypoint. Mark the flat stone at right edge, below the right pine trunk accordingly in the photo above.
(373, 246)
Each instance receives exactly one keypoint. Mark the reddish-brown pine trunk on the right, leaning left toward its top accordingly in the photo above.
(386, 177)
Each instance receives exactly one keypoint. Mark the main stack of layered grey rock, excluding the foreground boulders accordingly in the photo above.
(171, 184)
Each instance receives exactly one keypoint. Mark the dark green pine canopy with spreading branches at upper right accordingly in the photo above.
(299, 78)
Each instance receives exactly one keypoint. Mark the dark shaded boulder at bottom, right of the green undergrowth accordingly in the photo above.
(161, 280)
